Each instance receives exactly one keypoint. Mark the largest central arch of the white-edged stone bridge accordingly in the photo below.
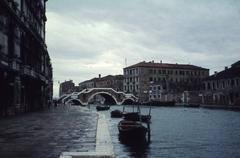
(107, 96)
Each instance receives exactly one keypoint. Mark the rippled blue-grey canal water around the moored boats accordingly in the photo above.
(183, 132)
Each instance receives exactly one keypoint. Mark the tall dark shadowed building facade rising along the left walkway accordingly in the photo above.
(25, 66)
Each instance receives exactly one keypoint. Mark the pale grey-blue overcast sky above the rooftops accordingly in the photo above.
(90, 37)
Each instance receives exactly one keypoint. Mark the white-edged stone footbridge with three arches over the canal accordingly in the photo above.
(111, 97)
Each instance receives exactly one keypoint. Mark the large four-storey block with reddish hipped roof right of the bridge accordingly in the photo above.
(176, 77)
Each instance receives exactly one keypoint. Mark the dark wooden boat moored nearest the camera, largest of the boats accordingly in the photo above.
(132, 130)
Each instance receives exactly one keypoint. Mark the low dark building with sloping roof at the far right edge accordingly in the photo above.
(223, 88)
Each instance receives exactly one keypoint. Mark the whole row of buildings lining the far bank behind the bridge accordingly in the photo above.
(182, 83)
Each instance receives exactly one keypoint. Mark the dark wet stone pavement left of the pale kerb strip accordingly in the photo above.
(47, 134)
